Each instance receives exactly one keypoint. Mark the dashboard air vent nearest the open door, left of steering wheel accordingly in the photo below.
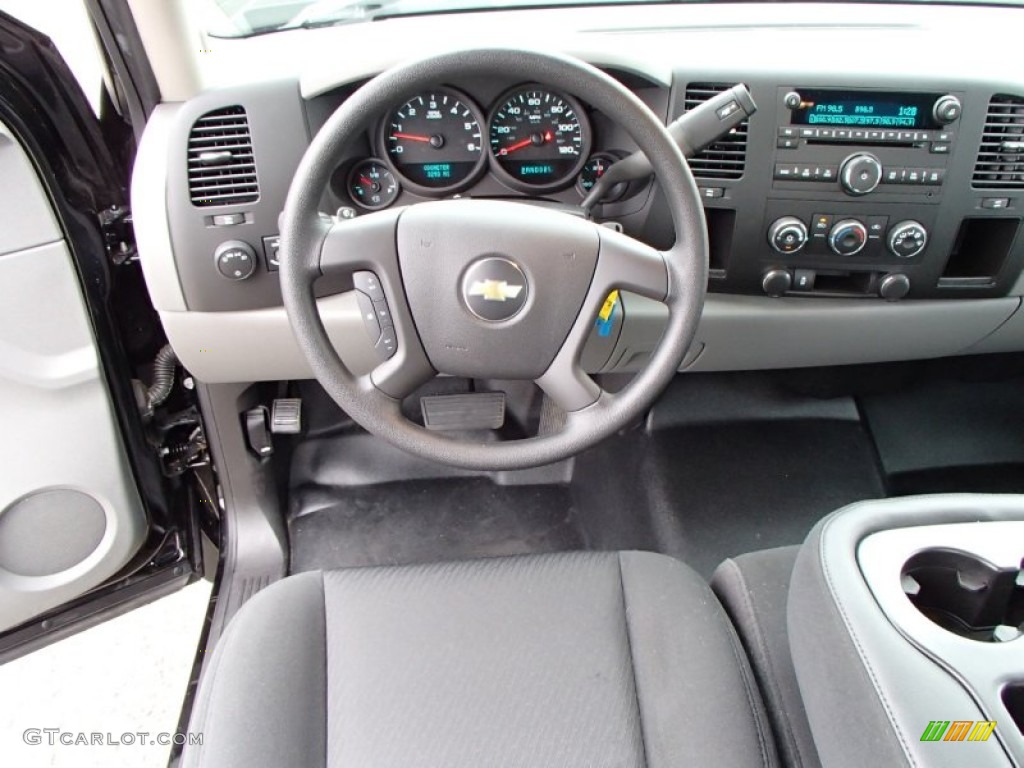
(222, 167)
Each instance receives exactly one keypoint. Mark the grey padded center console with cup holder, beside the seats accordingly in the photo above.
(906, 621)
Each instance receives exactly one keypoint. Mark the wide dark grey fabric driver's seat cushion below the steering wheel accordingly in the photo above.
(576, 660)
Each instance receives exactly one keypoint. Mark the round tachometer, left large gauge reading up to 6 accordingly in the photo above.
(436, 142)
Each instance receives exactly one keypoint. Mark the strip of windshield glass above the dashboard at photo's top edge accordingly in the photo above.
(245, 18)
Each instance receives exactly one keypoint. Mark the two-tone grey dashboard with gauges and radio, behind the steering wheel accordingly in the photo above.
(864, 214)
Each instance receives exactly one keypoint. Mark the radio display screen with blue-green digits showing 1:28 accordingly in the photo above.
(865, 110)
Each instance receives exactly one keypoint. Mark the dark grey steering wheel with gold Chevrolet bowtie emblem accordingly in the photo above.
(491, 289)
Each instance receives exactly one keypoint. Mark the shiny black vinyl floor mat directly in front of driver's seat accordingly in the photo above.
(432, 521)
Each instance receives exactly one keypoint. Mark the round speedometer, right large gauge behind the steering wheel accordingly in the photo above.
(539, 140)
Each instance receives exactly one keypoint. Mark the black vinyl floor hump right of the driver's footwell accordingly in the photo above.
(720, 490)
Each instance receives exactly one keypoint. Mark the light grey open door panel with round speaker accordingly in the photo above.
(70, 514)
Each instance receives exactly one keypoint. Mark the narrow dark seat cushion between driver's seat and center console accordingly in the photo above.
(754, 588)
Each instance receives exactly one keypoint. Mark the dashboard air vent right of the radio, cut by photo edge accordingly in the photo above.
(1001, 158)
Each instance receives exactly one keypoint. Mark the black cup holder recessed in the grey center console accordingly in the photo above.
(966, 595)
